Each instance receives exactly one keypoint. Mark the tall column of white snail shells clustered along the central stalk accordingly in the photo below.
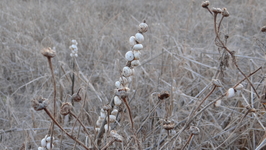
(132, 57)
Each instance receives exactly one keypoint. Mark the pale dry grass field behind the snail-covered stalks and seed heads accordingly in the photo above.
(181, 56)
